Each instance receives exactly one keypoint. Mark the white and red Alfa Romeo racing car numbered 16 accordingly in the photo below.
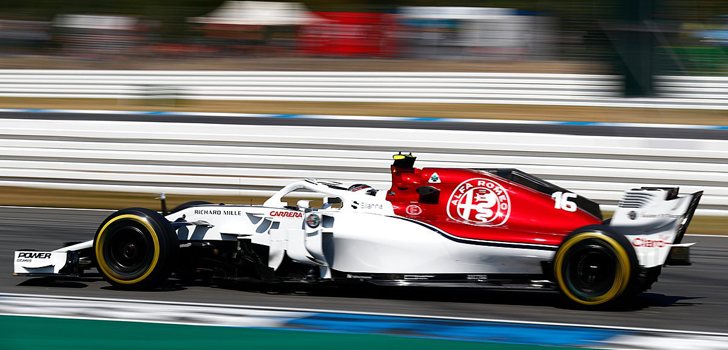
(491, 228)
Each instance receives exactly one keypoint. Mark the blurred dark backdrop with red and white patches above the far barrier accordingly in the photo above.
(636, 38)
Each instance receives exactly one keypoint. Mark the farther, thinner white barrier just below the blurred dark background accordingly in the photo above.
(401, 87)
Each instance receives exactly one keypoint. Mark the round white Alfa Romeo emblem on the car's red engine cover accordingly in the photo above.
(479, 202)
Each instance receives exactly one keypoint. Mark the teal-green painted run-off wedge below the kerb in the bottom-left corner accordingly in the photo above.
(23, 333)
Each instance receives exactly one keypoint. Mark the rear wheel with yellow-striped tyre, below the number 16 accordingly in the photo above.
(594, 266)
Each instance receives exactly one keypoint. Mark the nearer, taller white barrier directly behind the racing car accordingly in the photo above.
(256, 160)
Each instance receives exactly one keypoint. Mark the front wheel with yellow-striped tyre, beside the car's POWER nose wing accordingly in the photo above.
(135, 248)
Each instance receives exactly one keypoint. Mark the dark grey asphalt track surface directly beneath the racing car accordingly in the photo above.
(692, 298)
